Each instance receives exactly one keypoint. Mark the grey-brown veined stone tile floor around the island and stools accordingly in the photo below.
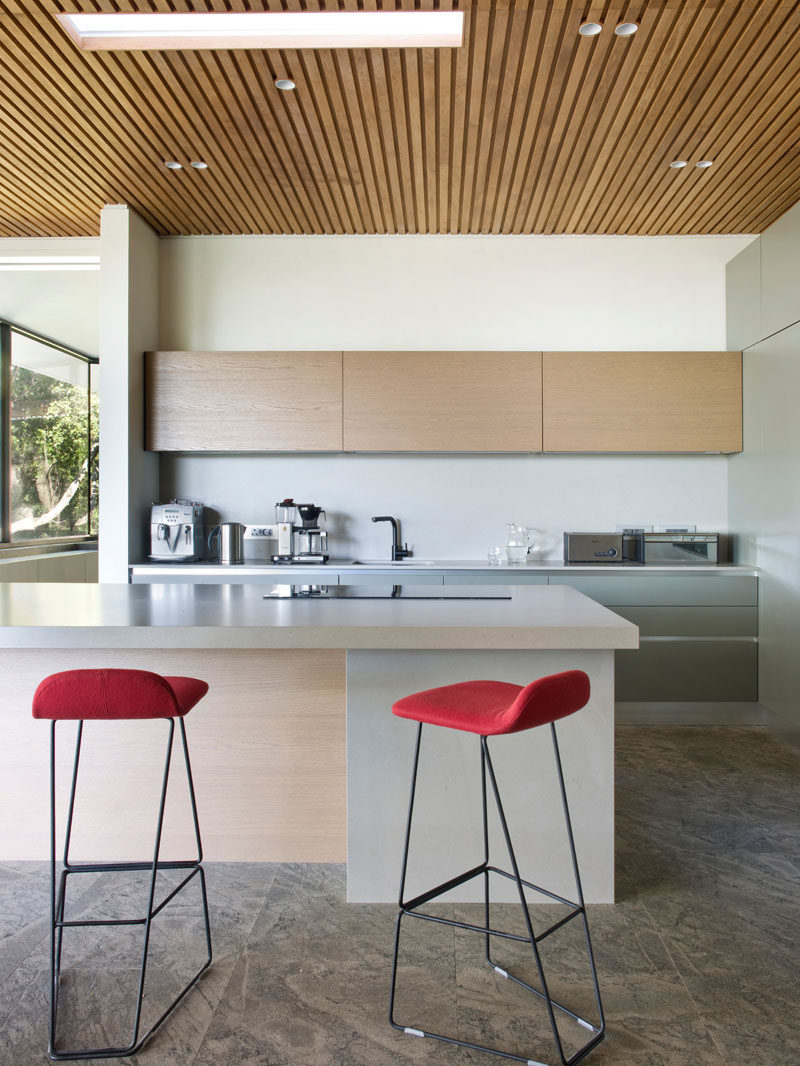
(698, 961)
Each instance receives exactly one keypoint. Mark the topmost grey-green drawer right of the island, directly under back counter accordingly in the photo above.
(645, 590)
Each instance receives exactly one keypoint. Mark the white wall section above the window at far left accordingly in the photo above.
(63, 305)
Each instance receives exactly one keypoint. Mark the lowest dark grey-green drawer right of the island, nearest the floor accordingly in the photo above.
(692, 671)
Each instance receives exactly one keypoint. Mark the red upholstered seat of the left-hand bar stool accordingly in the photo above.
(94, 694)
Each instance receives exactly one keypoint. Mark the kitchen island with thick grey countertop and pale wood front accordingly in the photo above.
(298, 719)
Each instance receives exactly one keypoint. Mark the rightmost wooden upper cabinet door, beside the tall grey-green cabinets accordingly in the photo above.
(643, 402)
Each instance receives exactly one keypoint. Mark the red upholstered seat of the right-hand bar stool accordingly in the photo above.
(491, 708)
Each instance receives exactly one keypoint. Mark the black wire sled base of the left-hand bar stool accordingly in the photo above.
(58, 900)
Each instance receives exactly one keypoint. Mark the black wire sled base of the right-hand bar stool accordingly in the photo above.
(410, 909)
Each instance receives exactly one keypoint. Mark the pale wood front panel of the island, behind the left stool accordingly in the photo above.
(267, 745)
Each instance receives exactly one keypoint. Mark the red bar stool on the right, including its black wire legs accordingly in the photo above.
(492, 709)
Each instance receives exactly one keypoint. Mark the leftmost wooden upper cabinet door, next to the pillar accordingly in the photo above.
(245, 401)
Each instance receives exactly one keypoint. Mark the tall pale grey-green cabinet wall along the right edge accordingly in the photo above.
(764, 304)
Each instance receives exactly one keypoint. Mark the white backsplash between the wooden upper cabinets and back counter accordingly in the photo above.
(457, 507)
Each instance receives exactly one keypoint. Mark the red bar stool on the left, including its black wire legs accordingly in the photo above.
(86, 696)
